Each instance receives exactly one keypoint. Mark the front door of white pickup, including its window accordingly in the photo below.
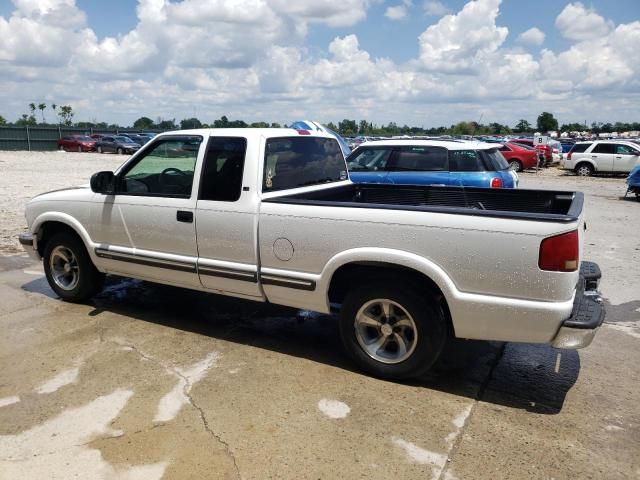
(146, 229)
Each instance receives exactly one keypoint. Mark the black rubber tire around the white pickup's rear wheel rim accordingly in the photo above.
(423, 309)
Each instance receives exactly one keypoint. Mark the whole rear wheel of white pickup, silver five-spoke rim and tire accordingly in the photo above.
(392, 331)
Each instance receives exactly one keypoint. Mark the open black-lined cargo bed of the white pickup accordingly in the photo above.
(541, 205)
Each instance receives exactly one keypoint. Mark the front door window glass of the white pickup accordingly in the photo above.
(165, 169)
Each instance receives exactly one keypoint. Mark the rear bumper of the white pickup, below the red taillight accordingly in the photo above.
(588, 311)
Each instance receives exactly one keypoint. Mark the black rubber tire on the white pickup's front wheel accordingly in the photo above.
(89, 280)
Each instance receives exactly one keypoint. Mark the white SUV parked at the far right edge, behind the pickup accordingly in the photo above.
(602, 156)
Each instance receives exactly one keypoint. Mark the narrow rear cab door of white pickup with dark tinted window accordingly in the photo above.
(227, 219)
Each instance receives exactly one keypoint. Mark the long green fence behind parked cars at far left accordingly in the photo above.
(46, 138)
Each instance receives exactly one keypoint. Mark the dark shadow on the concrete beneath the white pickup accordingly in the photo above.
(520, 376)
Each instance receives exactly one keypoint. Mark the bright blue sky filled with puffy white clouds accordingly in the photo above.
(323, 59)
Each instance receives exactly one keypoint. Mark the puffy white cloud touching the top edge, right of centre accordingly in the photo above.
(462, 41)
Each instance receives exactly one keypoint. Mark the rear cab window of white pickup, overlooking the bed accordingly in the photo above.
(292, 162)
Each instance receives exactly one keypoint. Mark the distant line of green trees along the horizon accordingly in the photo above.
(545, 122)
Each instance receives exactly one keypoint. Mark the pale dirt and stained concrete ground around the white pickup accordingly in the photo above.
(156, 382)
